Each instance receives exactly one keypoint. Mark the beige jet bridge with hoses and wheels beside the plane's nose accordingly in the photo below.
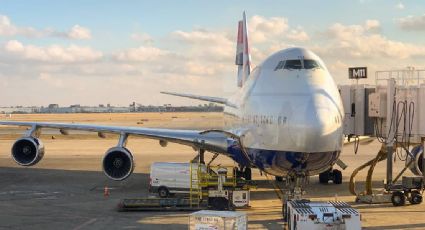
(392, 111)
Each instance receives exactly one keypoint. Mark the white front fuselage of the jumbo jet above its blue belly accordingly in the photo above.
(289, 110)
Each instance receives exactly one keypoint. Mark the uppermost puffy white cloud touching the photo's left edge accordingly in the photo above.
(7, 28)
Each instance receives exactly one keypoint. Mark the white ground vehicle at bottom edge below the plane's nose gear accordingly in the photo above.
(304, 214)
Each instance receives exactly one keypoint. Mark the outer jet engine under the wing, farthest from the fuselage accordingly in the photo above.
(27, 151)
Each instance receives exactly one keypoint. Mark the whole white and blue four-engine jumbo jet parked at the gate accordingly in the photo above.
(285, 120)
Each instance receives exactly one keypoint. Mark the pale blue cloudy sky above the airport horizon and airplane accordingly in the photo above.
(97, 52)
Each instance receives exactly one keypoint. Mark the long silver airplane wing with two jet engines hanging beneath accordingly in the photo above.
(118, 163)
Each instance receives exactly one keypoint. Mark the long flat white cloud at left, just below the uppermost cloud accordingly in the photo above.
(52, 53)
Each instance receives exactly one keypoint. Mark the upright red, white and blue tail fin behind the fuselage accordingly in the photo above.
(243, 56)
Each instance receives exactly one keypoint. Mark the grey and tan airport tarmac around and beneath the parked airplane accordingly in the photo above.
(66, 189)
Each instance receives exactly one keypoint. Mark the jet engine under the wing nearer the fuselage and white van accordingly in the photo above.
(118, 163)
